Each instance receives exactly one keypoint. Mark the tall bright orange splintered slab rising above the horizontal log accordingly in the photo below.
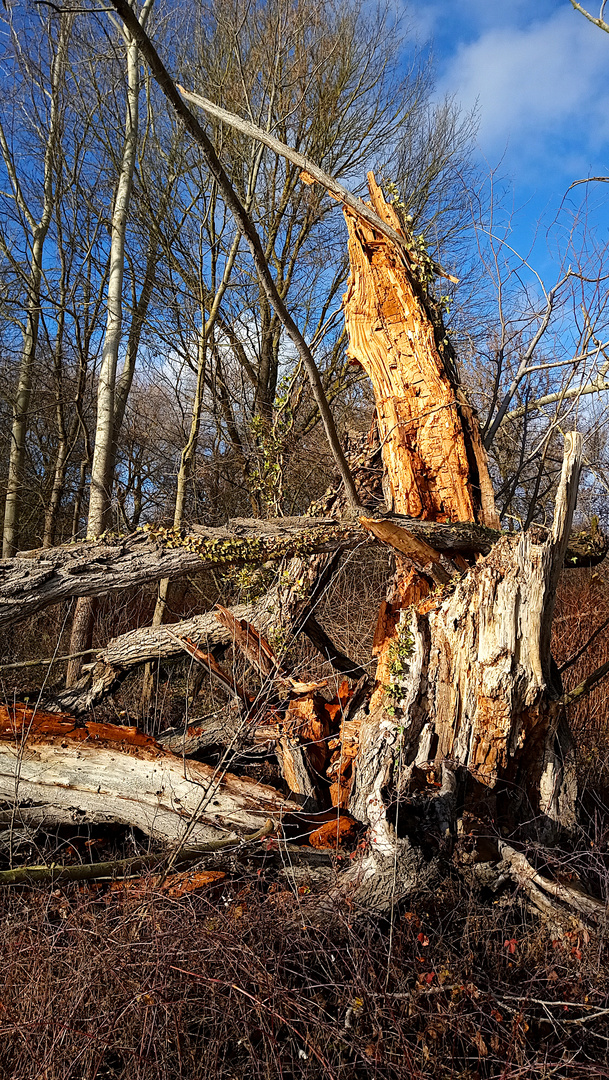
(423, 416)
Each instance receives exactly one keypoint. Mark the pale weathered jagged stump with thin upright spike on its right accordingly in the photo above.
(476, 684)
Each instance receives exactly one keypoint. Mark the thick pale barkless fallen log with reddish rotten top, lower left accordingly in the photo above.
(55, 769)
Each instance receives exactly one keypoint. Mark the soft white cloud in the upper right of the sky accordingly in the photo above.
(542, 88)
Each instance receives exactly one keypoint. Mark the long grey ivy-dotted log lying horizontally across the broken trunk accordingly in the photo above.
(35, 580)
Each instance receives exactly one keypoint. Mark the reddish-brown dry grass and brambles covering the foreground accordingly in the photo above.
(224, 985)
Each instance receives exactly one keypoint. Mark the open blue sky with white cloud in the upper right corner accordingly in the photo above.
(539, 74)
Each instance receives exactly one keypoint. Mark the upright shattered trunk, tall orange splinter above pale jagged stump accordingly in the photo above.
(465, 681)
